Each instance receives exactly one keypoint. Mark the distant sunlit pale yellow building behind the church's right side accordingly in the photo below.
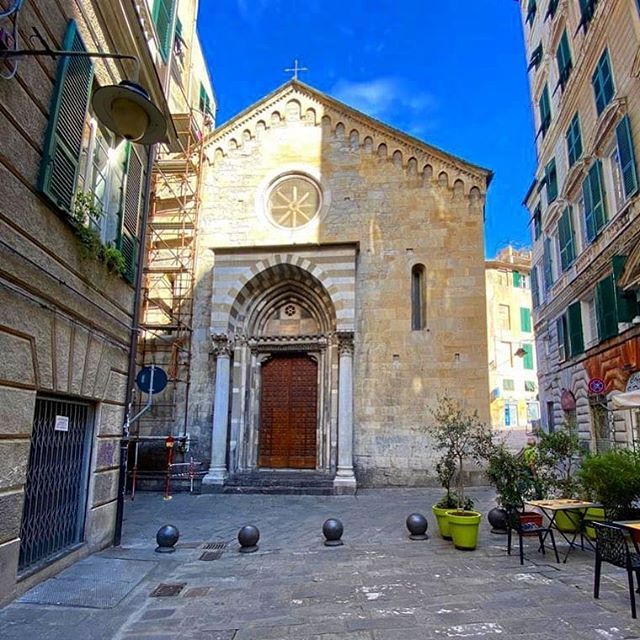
(513, 381)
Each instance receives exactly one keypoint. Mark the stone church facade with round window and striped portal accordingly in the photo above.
(340, 289)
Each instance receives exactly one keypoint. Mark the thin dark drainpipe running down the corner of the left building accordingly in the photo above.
(133, 346)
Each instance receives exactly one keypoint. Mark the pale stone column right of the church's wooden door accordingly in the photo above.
(345, 481)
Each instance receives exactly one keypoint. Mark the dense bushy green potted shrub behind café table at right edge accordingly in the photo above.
(613, 479)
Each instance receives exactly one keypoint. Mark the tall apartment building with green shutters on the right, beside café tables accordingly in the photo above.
(584, 72)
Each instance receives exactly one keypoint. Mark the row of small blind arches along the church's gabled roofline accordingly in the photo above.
(364, 135)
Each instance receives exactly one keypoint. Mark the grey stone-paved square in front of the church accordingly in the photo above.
(378, 586)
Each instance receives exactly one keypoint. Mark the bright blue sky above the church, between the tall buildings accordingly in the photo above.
(452, 73)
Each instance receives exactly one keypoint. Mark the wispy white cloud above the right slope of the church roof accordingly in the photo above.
(390, 99)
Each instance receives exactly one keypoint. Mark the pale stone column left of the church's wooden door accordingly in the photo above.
(217, 473)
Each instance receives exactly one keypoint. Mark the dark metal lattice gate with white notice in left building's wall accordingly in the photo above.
(57, 480)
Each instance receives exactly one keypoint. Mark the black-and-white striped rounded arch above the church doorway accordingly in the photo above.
(269, 279)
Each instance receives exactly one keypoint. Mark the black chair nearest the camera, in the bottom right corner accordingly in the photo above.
(612, 547)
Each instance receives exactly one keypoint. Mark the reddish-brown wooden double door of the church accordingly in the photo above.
(288, 413)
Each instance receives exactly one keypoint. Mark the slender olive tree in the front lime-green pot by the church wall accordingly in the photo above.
(461, 437)
